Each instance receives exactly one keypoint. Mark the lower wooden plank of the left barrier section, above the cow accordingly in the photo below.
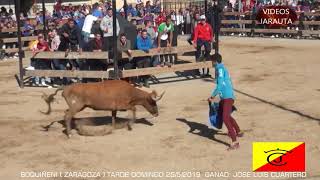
(66, 73)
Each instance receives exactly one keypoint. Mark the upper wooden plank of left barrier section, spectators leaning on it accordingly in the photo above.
(71, 55)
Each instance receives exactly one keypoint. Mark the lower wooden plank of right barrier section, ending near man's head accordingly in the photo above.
(160, 70)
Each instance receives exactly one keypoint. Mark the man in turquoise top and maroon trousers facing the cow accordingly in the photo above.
(224, 89)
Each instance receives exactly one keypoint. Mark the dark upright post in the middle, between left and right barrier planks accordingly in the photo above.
(115, 57)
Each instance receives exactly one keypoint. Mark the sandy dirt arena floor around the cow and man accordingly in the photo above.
(278, 96)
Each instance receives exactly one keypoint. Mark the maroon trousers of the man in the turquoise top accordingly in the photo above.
(225, 107)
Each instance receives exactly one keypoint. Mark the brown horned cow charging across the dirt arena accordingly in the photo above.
(112, 95)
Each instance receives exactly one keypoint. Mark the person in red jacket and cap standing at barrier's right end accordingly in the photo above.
(203, 36)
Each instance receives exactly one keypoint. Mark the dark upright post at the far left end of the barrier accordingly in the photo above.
(21, 71)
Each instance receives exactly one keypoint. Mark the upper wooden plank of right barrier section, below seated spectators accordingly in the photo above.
(153, 52)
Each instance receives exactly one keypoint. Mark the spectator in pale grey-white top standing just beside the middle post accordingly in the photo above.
(107, 27)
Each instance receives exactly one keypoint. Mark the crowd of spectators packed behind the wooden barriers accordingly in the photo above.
(90, 28)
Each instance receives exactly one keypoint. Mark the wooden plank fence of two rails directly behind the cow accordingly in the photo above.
(104, 56)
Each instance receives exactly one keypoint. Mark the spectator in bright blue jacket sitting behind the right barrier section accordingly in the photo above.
(144, 44)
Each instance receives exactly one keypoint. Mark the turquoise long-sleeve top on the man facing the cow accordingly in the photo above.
(224, 85)
